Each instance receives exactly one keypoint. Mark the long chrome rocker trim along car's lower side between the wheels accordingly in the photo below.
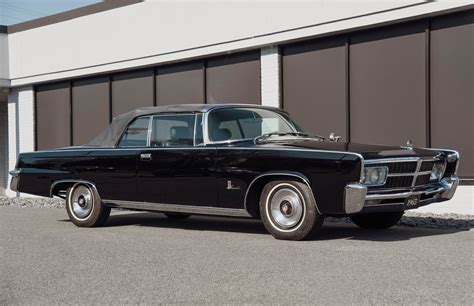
(176, 208)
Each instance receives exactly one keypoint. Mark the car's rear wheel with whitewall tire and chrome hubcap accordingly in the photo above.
(84, 206)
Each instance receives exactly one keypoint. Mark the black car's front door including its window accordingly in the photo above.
(177, 168)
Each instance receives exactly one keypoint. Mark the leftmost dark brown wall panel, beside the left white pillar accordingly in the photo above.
(53, 116)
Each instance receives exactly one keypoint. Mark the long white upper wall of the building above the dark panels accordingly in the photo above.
(159, 31)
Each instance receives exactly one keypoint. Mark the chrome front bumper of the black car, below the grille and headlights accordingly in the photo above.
(358, 199)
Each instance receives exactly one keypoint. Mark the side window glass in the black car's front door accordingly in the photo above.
(173, 131)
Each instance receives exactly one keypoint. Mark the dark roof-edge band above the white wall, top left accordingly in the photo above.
(68, 15)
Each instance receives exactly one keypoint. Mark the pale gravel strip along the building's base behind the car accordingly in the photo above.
(410, 219)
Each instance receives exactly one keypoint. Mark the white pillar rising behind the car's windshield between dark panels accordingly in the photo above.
(270, 76)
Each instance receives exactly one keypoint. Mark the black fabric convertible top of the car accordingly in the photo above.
(111, 135)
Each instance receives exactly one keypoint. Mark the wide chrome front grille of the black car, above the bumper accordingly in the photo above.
(405, 172)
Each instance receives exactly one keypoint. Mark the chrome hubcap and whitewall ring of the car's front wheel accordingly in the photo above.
(286, 207)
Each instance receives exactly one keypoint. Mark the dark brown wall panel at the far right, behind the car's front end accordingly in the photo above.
(452, 87)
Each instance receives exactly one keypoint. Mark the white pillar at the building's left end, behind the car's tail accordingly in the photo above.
(21, 126)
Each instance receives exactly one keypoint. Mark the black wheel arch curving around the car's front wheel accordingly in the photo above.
(252, 200)
